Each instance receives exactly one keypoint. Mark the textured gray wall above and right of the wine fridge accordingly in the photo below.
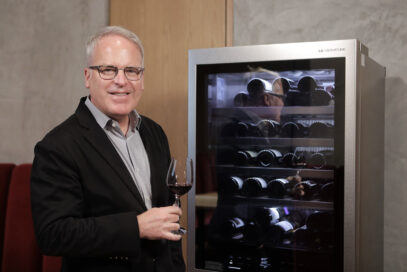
(382, 26)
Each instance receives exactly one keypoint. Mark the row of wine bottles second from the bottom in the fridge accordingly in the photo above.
(290, 187)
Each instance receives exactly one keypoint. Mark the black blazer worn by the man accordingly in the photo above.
(85, 203)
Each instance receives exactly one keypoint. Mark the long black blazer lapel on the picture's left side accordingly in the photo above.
(99, 140)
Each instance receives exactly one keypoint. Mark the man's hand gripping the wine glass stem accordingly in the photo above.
(157, 223)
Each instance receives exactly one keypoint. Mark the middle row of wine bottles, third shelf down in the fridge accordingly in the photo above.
(315, 158)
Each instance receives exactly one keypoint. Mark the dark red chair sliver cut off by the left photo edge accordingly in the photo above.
(5, 174)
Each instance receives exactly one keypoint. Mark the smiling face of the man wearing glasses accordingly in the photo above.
(119, 96)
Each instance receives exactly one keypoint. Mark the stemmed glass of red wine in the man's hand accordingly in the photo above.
(179, 181)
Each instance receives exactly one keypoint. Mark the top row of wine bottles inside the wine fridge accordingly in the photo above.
(308, 92)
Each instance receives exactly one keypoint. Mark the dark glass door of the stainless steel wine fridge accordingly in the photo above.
(269, 154)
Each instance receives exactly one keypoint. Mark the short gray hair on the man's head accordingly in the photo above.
(112, 30)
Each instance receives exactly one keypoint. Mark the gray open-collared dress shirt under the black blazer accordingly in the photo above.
(130, 148)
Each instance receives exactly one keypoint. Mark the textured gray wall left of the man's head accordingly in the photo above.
(41, 67)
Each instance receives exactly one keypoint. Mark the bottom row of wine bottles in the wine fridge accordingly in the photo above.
(278, 226)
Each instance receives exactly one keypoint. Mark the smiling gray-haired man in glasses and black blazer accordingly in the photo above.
(98, 191)
